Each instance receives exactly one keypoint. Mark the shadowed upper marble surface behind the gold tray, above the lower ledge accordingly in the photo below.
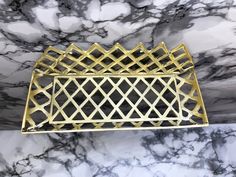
(206, 27)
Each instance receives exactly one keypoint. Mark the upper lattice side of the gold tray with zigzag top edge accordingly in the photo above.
(117, 60)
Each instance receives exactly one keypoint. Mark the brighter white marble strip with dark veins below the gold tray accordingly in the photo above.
(197, 152)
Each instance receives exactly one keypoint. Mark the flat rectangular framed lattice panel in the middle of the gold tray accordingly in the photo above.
(114, 99)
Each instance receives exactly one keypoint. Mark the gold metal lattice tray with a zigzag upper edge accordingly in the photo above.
(115, 89)
